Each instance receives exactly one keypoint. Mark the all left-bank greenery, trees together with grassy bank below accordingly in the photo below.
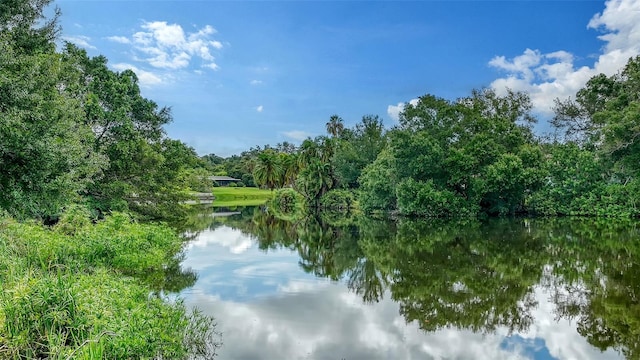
(78, 143)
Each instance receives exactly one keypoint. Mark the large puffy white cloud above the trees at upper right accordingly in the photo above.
(547, 76)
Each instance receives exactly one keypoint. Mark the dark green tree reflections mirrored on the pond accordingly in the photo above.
(475, 275)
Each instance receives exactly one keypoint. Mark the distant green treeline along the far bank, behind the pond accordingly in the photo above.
(472, 156)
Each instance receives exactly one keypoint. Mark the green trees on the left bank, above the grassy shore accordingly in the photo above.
(74, 131)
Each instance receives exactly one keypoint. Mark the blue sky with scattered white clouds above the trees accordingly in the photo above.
(243, 73)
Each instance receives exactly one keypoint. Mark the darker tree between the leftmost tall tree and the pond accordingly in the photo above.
(144, 168)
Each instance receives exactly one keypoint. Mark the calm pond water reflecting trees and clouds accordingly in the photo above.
(342, 288)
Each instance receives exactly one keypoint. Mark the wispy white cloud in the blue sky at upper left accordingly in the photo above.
(168, 46)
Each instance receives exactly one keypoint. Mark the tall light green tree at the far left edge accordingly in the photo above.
(46, 155)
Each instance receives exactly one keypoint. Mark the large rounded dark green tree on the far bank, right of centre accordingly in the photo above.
(458, 158)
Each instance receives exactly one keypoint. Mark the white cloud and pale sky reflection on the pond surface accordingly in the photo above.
(268, 308)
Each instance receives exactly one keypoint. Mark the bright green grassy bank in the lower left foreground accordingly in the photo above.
(75, 291)
